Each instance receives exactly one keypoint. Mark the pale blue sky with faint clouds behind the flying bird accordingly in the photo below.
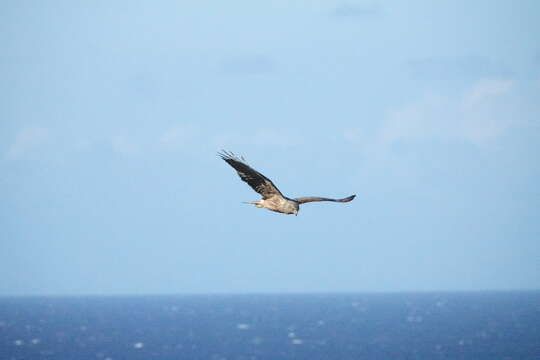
(111, 115)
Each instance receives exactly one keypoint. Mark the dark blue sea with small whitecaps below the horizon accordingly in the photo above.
(493, 325)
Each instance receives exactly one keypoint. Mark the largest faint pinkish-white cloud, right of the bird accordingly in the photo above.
(479, 115)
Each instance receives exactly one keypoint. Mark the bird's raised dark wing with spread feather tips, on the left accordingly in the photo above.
(255, 179)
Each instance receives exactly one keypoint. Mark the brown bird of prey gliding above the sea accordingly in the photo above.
(272, 198)
